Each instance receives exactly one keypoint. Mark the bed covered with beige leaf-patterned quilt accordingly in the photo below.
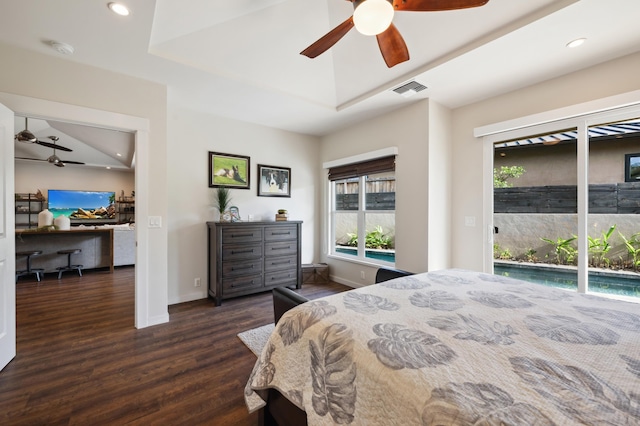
(455, 347)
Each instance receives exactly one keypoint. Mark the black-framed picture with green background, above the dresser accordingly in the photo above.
(228, 170)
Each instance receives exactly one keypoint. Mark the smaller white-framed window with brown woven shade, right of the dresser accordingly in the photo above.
(363, 209)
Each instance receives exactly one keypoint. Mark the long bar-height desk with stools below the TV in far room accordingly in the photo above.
(96, 246)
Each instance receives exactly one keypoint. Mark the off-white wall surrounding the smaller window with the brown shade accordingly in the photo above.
(408, 130)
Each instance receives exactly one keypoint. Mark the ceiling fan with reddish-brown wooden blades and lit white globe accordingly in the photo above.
(373, 17)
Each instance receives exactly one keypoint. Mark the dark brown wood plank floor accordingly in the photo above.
(80, 361)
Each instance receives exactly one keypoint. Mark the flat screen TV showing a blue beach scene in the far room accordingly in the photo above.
(83, 206)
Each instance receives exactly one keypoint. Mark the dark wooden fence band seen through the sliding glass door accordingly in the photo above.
(616, 198)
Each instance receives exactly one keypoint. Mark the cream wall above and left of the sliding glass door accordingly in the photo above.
(607, 79)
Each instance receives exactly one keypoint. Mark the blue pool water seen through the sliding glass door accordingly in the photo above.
(621, 284)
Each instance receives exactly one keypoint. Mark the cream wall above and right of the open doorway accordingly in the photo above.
(50, 78)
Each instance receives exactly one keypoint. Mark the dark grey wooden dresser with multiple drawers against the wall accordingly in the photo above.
(251, 257)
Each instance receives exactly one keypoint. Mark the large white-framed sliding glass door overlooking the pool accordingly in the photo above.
(565, 203)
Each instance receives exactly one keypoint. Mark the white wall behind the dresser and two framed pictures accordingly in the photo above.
(193, 135)
